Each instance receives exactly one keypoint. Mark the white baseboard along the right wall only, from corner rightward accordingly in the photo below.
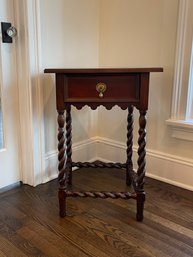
(168, 168)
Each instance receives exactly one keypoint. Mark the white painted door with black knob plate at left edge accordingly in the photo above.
(9, 111)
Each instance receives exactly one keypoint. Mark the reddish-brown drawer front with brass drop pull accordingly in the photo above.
(122, 87)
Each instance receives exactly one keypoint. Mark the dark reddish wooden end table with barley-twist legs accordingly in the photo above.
(126, 88)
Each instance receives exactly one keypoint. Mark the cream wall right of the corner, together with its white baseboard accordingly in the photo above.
(135, 33)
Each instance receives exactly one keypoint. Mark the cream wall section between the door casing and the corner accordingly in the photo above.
(70, 36)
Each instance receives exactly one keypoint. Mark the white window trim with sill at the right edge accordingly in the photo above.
(180, 121)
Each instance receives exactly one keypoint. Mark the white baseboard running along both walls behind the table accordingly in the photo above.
(168, 168)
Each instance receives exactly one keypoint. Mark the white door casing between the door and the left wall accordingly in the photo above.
(28, 48)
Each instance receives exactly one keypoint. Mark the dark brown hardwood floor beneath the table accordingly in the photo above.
(30, 225)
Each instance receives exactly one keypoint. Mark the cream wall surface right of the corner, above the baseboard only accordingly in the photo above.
(142, 34)
